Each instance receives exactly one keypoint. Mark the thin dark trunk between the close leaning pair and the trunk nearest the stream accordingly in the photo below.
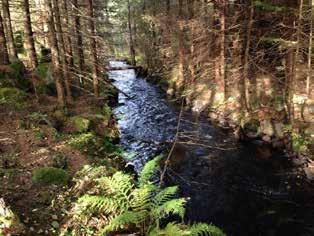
(79, 41)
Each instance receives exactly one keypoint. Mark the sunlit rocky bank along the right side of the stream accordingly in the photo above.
(262, 127)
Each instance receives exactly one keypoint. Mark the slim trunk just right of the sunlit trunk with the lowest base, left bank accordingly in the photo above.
(62, 51)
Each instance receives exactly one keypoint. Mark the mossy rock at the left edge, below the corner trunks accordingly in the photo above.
(13, 97)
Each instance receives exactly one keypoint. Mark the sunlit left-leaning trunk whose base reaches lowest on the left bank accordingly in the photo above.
(54, 52)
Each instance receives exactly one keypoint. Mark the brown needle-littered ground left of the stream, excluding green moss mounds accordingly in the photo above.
(31, 139)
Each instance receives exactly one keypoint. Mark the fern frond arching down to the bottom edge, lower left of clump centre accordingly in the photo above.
(123, 220)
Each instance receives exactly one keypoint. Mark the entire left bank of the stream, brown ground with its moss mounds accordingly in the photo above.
(43, 147)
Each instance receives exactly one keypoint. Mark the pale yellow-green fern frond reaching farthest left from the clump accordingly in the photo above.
(96, 204)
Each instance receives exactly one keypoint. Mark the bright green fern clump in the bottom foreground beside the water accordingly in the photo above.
(119, 204)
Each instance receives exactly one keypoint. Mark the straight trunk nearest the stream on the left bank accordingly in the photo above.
(93, 47)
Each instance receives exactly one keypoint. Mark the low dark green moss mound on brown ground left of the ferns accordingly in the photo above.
(50, 175)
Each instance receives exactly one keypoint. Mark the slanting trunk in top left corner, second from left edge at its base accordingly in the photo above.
(8, 26)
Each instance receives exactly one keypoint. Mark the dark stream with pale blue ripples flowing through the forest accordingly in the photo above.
(227, 183)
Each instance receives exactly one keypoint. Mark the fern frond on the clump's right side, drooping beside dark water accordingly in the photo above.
(174, 206)
